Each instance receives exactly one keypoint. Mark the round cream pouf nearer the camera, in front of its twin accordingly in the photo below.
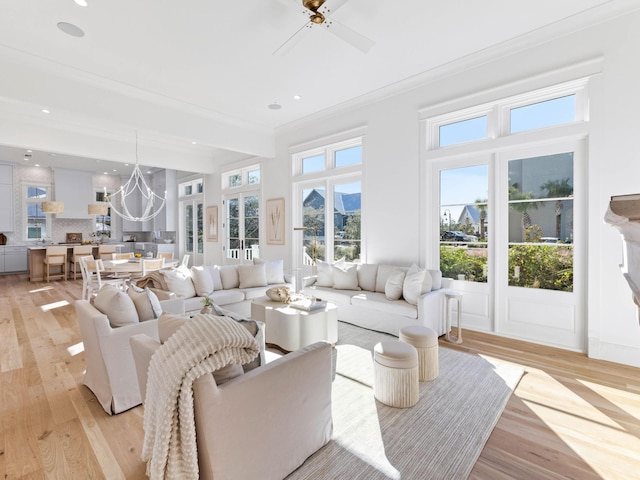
(395, 366)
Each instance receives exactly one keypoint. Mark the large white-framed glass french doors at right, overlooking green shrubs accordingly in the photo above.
(518, 253)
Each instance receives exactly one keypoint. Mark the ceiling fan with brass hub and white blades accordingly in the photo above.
(319, 14)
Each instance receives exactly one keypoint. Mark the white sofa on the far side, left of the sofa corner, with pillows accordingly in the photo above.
(232, 287)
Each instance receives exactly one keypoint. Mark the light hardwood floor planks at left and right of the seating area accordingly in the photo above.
(570, 417)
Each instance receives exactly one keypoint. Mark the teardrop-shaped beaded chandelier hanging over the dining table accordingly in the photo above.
(136, 188)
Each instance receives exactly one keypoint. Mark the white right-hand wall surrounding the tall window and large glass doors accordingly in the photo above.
(393, 222)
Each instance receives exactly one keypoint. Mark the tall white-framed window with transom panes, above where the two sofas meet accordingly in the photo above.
(329, 206)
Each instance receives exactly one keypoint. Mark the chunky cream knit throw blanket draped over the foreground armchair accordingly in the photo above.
(202, 345)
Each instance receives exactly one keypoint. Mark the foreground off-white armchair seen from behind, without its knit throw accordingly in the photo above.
(240, 424)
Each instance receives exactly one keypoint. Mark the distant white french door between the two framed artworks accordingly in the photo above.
(242, 227)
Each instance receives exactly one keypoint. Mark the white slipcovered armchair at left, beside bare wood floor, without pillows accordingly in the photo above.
(111, 371)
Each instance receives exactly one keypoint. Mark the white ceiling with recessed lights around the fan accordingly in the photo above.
(203, 71)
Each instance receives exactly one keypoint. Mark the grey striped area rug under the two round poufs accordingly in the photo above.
(439, 438)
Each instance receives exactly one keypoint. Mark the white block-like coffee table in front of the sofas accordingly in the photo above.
(291, 328)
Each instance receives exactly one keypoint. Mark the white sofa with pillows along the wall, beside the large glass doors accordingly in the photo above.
(381, 297)
